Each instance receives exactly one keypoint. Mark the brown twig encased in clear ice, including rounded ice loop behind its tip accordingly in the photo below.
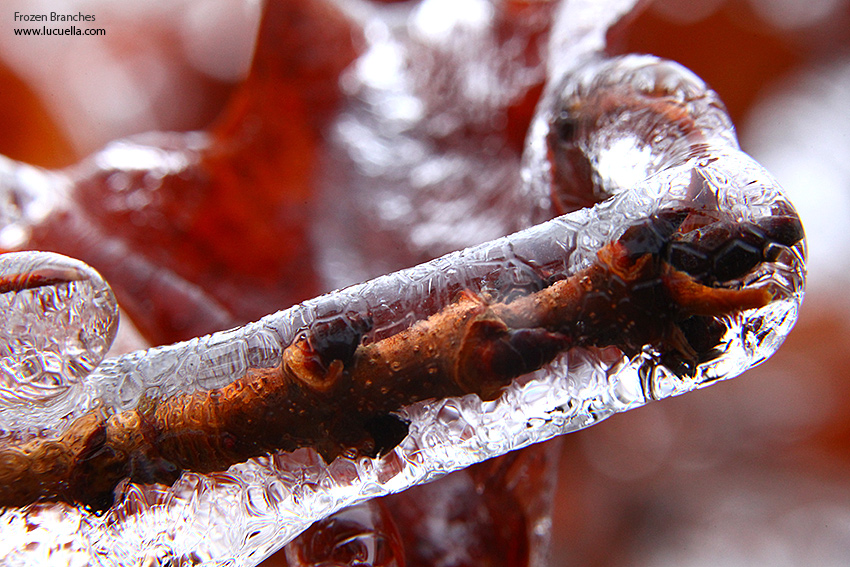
(677, 262)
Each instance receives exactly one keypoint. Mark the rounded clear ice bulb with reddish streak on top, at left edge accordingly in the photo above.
(60, 318)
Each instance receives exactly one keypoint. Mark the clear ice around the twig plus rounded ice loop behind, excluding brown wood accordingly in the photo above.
(240, 515)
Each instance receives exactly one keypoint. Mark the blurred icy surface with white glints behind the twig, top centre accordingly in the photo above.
(431, 136)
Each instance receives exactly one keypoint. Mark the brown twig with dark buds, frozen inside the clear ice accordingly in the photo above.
(337, 395)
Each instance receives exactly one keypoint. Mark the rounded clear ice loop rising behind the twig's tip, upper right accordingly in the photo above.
(612, 122)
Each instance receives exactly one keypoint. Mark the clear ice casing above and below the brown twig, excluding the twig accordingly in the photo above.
(241, 514)
